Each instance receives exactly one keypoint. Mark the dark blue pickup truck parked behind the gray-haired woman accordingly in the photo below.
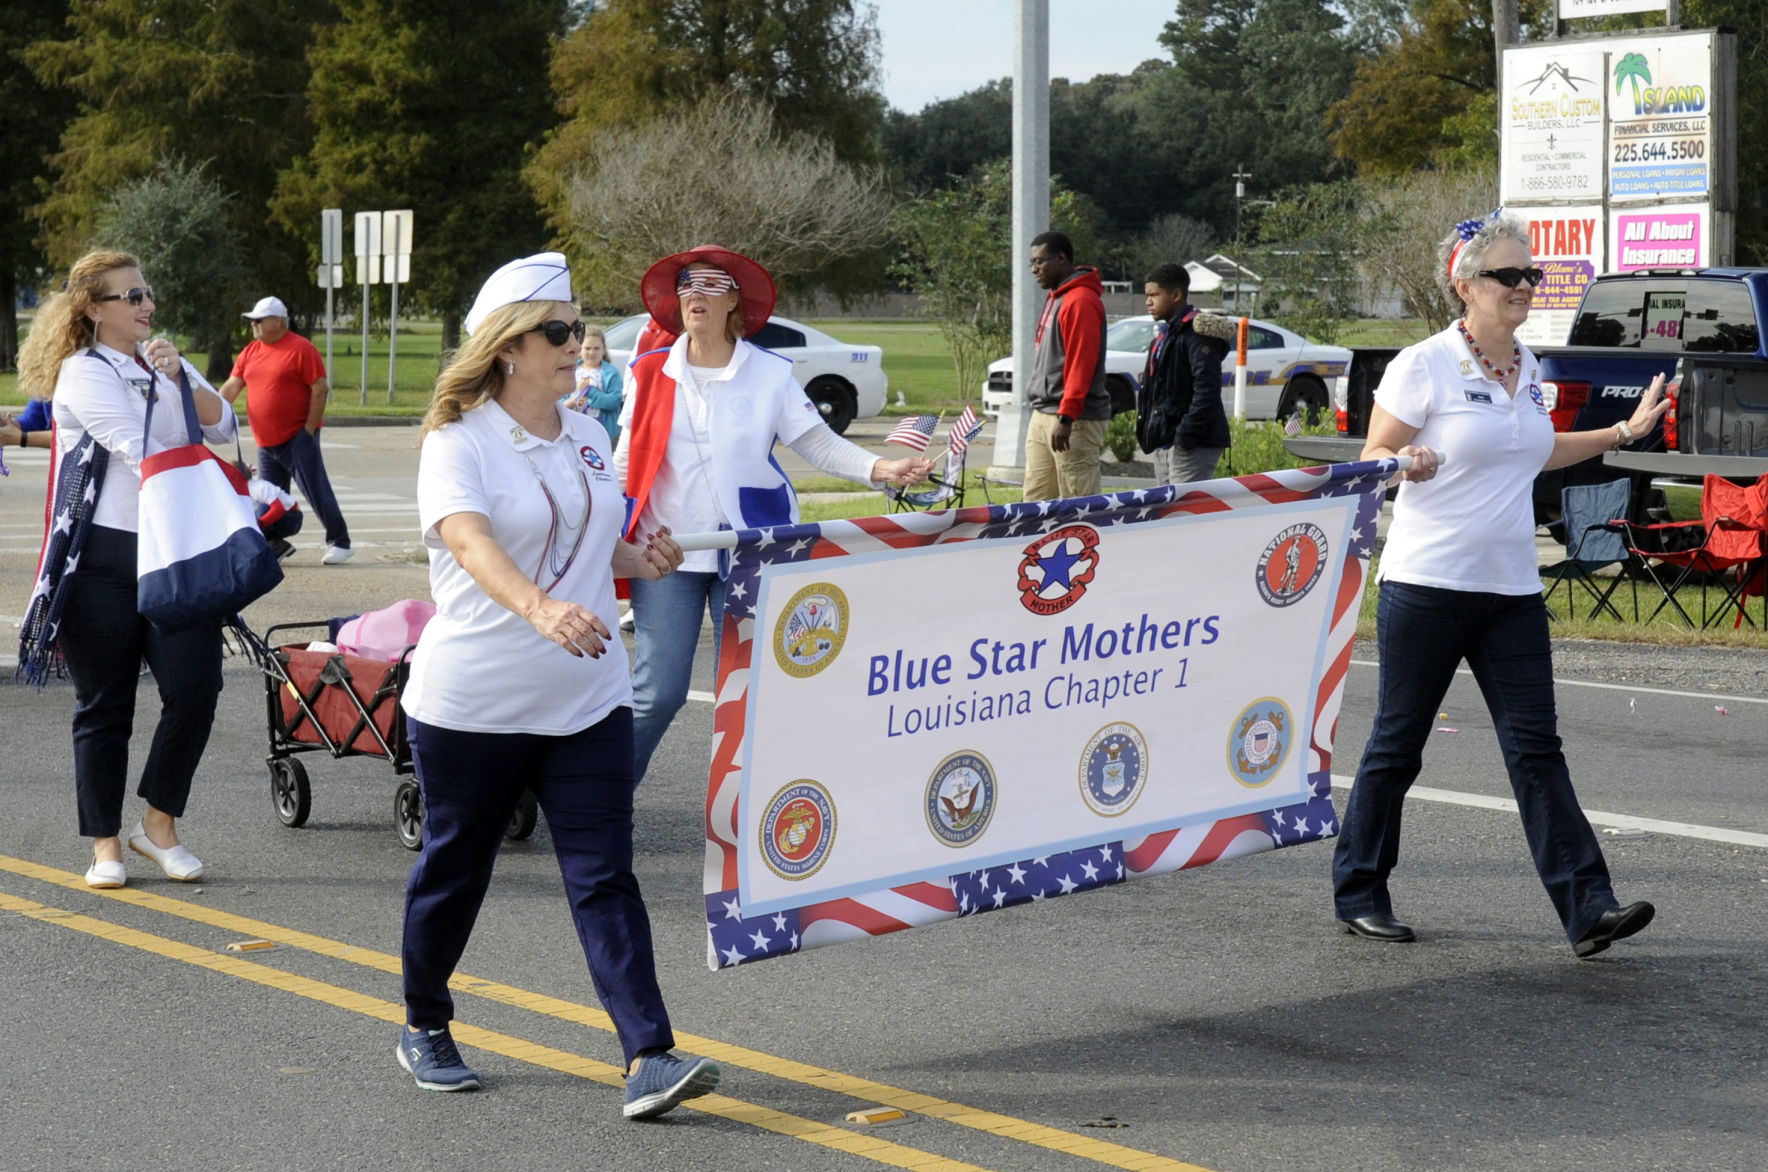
(1705, 328)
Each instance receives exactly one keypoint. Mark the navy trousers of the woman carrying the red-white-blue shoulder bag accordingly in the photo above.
(103, 641)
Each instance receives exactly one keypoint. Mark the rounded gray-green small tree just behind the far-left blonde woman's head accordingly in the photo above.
(179, 225)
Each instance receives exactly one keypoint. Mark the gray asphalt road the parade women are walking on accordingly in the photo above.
(1210, 1019)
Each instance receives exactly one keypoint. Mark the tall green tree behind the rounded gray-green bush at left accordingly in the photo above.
(215, 80)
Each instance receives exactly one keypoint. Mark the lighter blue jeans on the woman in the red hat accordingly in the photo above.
(667, 621)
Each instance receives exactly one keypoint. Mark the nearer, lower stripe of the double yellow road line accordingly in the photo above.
(752, 1115)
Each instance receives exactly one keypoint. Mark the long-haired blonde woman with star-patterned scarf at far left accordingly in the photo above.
(95, 349)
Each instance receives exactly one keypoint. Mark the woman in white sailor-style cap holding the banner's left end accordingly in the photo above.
(519, 685)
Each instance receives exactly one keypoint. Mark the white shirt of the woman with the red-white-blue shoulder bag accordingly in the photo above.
(105, 397)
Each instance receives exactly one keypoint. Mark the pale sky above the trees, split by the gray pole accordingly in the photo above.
(945, 49)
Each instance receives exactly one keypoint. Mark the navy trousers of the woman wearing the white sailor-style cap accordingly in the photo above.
(584, 784)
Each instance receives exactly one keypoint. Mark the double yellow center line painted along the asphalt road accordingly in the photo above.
(729, 1056)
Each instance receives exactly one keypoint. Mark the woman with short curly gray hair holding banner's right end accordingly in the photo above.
(1459, 581)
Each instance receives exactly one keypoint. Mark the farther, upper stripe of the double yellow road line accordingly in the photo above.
(1007, 1127)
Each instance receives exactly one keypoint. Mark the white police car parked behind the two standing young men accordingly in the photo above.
(1286, 374)
